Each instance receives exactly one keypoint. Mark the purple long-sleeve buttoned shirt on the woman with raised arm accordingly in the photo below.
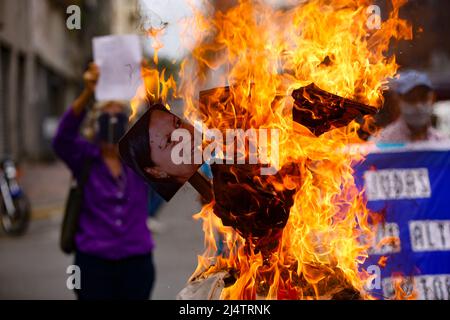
(113, 217)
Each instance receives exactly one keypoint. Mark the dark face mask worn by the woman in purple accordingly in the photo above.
(111, 127)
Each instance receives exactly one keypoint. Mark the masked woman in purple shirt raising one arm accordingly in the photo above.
(114, 244)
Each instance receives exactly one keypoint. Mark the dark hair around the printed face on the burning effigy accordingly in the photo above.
(134, 149)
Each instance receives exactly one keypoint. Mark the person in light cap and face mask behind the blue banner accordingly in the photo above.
(414, 94)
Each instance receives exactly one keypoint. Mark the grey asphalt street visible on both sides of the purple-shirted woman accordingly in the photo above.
(33, 267)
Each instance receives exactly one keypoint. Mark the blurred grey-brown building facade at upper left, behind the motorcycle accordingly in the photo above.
(41, 64)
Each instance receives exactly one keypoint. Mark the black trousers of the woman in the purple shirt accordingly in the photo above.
(126, 279)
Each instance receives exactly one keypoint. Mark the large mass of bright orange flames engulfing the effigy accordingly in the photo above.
(264, 54)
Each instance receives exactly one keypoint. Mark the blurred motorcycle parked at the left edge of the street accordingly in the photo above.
(15, 209)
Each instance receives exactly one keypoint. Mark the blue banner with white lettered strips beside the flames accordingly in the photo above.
(410, 186)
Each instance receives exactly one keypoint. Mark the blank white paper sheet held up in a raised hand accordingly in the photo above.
(119, 59)
